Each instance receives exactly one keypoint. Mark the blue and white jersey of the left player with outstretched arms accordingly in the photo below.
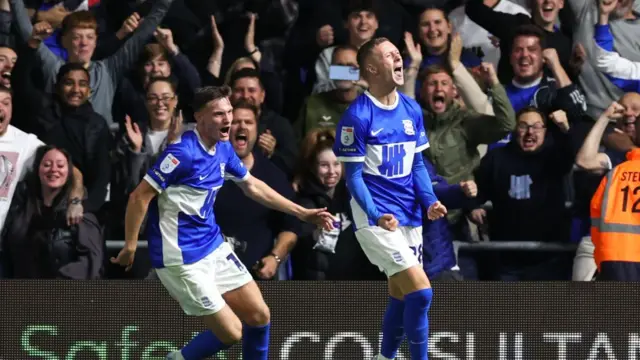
(181, 226)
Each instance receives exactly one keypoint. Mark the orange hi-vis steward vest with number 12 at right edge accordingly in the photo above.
(615, 213)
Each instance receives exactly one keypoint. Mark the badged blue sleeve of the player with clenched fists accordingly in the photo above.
(351, 135)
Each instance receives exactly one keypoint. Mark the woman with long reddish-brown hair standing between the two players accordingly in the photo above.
(320, 254)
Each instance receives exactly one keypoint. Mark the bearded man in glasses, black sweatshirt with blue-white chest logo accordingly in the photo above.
(524, 182)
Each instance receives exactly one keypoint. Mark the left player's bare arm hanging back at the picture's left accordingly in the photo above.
(136, 211)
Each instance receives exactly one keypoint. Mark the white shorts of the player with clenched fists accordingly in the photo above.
(392, 251)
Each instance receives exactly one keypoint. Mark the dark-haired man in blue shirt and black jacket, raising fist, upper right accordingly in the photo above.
(531, 87)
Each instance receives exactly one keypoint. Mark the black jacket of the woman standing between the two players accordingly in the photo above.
(349, 261)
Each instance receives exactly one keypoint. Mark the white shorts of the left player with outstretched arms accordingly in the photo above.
(199, 287)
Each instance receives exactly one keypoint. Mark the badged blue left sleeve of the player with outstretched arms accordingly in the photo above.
(171, 166)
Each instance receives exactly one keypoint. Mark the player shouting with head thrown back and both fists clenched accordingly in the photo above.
(381, 138)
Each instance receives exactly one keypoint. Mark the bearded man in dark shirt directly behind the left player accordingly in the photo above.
(247, 225)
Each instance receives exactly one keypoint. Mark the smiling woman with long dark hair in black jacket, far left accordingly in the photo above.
(36, 241)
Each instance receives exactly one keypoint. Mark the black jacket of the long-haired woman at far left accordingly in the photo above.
(42, 246)
